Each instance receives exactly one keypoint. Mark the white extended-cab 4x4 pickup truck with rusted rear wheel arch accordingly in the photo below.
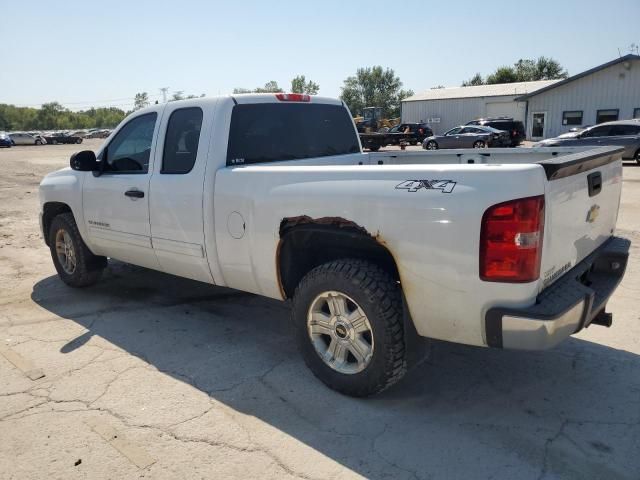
(271, 194)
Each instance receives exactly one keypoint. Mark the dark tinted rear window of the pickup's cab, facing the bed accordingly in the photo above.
(272, 132)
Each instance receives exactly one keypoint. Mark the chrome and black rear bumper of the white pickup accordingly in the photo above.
(572, 303)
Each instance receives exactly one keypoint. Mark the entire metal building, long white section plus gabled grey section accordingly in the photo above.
(610, 91)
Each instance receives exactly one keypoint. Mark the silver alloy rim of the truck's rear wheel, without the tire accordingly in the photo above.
(340, 332)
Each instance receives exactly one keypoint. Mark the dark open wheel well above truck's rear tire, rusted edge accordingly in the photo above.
(306, 243)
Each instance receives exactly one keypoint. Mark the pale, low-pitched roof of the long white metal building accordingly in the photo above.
(496, 90)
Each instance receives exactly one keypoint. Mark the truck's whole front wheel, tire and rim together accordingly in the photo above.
(74, 262)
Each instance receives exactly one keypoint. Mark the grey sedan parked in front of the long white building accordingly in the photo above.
(468, 136)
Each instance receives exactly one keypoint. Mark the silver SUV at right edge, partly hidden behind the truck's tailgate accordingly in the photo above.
(621, 133)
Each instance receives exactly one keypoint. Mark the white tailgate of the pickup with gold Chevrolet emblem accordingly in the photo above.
(582, 197)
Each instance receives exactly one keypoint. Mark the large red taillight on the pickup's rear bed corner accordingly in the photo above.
(511, 241)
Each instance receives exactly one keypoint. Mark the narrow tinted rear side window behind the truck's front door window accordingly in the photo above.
(181, 141)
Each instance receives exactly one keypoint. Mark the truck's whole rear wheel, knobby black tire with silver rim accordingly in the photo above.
(348, 321)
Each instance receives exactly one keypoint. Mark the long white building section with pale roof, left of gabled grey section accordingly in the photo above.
(445, 108)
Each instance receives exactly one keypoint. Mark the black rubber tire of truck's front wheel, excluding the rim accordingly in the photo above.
(88, 267)
